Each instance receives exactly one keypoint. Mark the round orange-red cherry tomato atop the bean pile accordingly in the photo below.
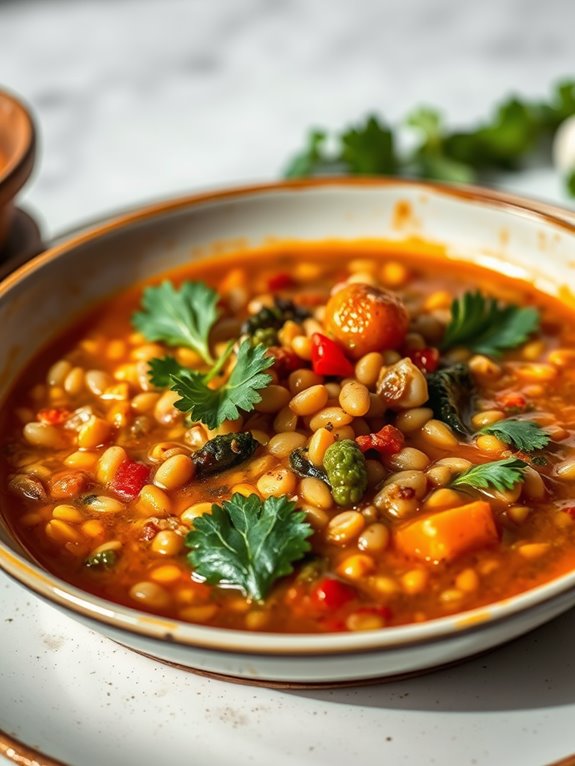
(365, 318)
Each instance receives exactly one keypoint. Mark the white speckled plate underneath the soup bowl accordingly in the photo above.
(87, 701)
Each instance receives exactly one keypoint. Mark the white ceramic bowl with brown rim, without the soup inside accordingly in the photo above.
(43, 297)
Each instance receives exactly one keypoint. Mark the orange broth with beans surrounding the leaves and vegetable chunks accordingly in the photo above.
(377, 582)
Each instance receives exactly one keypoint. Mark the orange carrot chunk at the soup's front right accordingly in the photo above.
(447, 534)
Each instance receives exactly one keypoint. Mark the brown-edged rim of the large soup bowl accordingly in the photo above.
(129, 620)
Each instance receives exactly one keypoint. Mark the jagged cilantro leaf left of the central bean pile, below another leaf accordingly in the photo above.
(240, 392)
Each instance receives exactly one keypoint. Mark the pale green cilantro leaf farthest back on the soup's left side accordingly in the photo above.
(181, 317)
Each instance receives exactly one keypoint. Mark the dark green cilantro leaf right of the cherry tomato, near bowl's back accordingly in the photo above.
(487, 327)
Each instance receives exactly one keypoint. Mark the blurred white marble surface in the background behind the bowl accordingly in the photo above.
(140, 100)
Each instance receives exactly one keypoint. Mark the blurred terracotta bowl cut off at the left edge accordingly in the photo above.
(17, 152)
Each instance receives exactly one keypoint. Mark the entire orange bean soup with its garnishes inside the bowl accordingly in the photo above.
(306, 439)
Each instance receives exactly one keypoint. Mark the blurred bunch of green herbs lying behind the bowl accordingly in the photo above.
(516, 131)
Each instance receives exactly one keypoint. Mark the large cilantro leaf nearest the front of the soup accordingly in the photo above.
(248, 543)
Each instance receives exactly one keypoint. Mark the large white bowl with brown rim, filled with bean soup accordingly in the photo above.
(313, 432)
